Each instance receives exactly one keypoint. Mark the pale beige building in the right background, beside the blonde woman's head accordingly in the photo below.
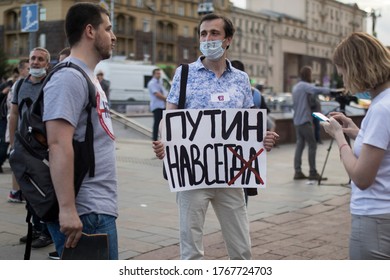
(306, 34)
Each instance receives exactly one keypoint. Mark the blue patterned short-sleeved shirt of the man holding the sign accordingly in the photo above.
(206, 91)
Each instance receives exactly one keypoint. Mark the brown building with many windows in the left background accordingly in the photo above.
(160, 32)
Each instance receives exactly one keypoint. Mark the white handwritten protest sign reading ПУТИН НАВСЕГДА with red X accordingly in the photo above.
(214, 148)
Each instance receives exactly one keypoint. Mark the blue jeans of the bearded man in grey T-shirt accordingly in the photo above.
(92, 223)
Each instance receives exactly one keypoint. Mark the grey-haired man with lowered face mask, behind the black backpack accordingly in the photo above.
(26, 92)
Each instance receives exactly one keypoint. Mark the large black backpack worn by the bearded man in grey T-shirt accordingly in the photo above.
(29, 159)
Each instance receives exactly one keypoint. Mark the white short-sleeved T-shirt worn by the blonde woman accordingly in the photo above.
(374, 131)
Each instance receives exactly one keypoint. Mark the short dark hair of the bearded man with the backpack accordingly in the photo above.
(79, 16)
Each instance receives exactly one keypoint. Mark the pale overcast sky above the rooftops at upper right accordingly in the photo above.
(382, 7)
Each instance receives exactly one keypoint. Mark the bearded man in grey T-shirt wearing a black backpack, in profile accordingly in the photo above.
(94, 209)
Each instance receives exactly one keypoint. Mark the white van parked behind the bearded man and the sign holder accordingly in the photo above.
(129, 81)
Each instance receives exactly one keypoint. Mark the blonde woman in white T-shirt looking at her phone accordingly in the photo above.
(364, 64)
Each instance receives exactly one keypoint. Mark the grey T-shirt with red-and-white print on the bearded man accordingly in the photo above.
(65, 97)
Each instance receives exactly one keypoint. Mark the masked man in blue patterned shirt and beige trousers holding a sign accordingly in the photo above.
(213, 84)
